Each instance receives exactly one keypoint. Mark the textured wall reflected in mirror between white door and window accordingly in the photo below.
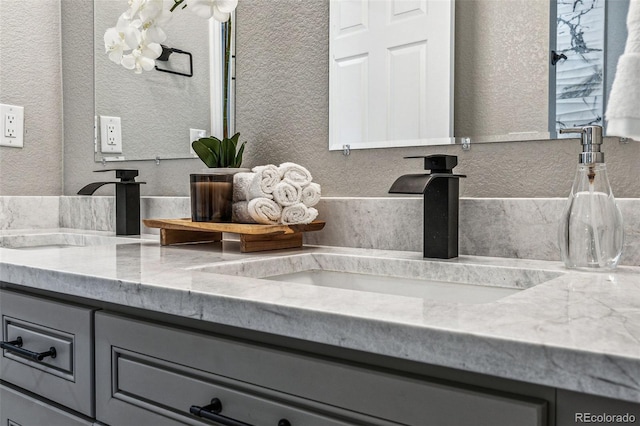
(500, 41)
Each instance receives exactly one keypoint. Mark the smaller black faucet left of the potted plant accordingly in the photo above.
(127, 200)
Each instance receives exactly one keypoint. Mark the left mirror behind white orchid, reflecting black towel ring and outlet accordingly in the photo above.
(157, 113)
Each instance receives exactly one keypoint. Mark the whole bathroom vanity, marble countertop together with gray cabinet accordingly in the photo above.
(146, 334)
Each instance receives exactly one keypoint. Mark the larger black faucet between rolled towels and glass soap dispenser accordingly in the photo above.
(441, 199)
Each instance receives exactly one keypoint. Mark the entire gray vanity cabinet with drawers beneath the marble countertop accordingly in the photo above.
(127, 369)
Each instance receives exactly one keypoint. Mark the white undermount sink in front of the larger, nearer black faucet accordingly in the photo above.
(433, 280)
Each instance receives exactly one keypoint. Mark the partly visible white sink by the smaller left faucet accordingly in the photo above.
(59, 240)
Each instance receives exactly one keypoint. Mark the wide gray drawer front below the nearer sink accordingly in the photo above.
(152, 374)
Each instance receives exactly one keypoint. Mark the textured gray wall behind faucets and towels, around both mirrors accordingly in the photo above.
(282, 110)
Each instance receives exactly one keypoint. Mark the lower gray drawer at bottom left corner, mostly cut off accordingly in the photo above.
(18, 409)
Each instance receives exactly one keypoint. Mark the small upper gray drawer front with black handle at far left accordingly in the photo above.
(41, 324)
